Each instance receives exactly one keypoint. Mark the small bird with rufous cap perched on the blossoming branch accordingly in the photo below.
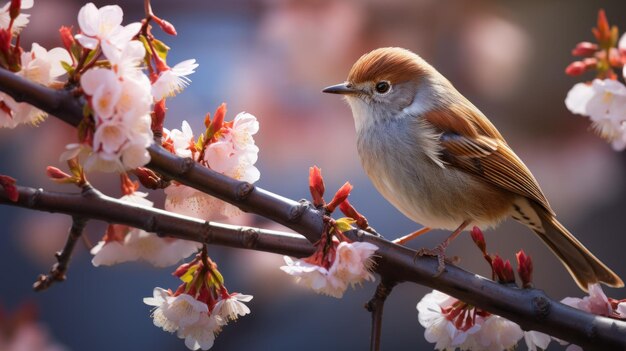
(437, 158)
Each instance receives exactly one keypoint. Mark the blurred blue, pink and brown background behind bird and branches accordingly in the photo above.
(272, 58)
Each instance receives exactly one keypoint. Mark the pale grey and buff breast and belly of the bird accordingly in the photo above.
(397, 155)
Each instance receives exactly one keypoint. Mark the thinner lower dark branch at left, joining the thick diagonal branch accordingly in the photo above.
(94, 205)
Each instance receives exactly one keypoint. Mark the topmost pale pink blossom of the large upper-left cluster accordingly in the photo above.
(103, 26)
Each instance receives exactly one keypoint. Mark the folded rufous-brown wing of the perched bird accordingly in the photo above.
(475, 146)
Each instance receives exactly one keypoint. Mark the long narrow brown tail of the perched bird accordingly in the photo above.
(584, 267)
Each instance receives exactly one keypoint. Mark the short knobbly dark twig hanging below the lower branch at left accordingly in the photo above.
(57, 273)
